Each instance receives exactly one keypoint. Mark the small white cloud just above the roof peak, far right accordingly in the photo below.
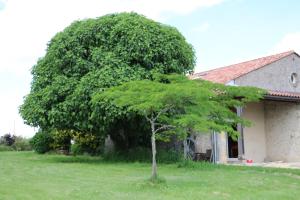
(290, 41)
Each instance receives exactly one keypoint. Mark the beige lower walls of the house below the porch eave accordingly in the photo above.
(274, 134)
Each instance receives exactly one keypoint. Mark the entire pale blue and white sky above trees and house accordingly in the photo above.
(222, 32)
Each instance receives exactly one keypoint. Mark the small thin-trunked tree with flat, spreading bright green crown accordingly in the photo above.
(173, 103)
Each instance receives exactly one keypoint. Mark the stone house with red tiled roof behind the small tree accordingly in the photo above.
(275, 131)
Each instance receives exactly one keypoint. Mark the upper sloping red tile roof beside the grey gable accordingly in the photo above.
(231, 72)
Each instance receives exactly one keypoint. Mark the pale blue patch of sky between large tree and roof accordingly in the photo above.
(238, 30)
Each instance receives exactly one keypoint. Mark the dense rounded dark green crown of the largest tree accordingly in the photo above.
(94, 54)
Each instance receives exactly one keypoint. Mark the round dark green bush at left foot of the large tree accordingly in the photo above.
(41, 142)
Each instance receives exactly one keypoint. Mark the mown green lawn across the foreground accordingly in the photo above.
(26, 175)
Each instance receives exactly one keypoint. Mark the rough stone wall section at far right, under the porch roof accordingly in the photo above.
(282, 125)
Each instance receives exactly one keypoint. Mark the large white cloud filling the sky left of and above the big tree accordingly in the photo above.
(27, 26)
